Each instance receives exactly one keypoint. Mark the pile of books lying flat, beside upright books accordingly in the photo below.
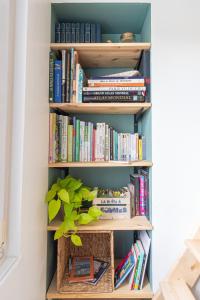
(121, 87)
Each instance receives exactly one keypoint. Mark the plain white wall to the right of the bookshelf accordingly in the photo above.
(176, 124)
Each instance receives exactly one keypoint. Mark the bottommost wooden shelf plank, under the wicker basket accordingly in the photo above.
(121, 293)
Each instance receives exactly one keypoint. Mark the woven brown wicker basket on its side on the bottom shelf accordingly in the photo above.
(98, 244)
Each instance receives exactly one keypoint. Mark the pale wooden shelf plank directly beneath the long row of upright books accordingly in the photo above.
(101, 164)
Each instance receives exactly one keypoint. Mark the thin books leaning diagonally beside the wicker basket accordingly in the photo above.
(133, 266)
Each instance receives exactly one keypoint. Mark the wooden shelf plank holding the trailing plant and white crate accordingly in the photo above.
(136, 223)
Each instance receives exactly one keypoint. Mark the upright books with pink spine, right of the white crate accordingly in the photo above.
(139, 189)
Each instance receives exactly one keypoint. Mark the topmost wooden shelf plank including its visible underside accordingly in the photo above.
(95, 55)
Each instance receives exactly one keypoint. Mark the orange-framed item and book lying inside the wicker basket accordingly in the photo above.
(86, 269)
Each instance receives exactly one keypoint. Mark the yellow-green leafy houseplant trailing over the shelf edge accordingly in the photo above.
(67, 195)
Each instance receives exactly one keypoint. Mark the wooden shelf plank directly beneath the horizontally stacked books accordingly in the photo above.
(102, 108)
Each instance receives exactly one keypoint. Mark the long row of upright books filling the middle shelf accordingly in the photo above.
(71, 140)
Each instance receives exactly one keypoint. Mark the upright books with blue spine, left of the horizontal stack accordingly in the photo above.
(66, 77)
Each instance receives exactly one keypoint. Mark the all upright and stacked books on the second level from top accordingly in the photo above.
(68, 83)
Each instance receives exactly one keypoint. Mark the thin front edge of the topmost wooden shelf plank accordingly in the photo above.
(101, 46)
